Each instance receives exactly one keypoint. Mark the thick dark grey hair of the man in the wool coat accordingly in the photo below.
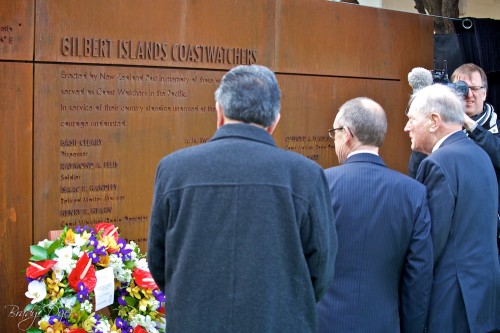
(250, 94)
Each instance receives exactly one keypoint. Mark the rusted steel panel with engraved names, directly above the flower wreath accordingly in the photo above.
(99, 134)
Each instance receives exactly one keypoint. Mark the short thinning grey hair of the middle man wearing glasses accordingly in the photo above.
(366, 119)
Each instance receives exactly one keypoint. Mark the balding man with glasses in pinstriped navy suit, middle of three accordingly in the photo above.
(383, 271)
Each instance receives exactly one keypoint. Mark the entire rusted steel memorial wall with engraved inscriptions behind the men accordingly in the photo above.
(93, 93)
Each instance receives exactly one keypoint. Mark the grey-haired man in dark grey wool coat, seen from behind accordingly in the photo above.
(242, 235)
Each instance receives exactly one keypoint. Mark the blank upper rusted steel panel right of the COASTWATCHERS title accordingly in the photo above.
(325, 38)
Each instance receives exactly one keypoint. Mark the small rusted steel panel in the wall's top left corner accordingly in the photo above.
(16, 30)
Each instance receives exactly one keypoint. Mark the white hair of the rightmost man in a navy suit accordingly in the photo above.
(440, 99)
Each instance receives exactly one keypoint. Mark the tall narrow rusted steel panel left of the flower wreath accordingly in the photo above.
(16, 128)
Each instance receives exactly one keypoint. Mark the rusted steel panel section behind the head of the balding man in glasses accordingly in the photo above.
(304, 123)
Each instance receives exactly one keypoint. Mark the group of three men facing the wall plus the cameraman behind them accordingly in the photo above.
(247, 237)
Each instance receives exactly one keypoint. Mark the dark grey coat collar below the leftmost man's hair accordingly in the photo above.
(243, 131)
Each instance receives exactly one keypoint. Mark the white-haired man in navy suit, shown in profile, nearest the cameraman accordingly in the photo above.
(462, 193)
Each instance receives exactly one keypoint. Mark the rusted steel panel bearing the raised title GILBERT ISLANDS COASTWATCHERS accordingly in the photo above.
(195, 34)
